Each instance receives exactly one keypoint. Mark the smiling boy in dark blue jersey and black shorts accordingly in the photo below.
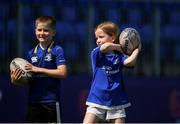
(48, 65)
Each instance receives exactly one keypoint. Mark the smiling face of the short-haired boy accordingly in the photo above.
(44, 33)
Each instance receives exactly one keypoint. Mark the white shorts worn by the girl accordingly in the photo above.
(107, 114)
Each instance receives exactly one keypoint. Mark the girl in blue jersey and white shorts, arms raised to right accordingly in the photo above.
(107, 98)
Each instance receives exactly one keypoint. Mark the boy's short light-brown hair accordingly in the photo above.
(49, 20)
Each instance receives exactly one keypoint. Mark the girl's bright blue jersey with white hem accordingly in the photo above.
(107, 90)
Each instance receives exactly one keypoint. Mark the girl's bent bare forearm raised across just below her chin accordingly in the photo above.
(109, 47)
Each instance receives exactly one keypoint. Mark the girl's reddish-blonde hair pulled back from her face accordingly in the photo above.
(110, 29)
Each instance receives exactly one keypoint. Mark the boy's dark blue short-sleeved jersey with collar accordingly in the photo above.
(44, 88)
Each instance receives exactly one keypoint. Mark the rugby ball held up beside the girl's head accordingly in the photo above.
(129, 40)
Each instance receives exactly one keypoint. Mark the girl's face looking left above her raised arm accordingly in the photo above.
(102, 37)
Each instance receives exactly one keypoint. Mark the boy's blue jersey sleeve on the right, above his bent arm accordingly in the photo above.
(60, 58)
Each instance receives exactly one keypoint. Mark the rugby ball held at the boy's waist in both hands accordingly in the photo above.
(20, 63)
